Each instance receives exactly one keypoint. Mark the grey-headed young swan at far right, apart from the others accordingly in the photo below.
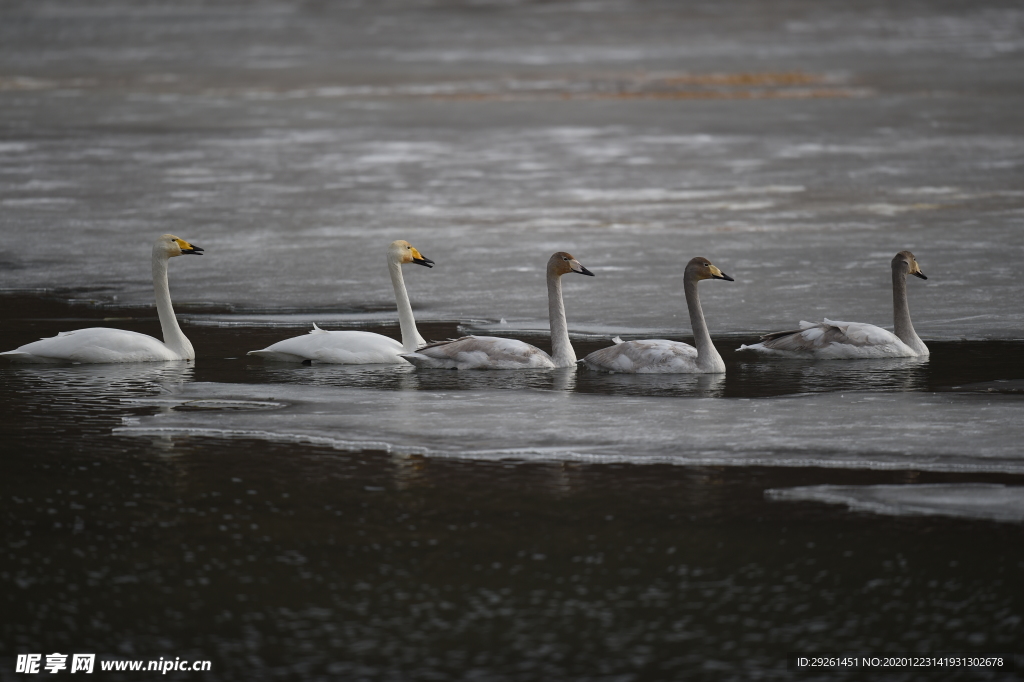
(839, 340)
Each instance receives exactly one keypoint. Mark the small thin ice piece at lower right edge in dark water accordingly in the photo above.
(984, 501)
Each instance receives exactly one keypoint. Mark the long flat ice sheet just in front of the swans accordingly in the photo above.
(923, 432)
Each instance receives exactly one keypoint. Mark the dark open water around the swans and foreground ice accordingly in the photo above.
(287, 562)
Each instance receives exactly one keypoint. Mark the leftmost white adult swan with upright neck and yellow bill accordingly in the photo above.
(102, 345)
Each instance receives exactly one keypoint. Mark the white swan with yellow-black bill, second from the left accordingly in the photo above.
(352, 348)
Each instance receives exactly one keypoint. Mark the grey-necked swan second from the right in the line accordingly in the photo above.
(661, 356)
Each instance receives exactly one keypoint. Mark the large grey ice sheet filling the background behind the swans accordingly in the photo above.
(800, 166)
